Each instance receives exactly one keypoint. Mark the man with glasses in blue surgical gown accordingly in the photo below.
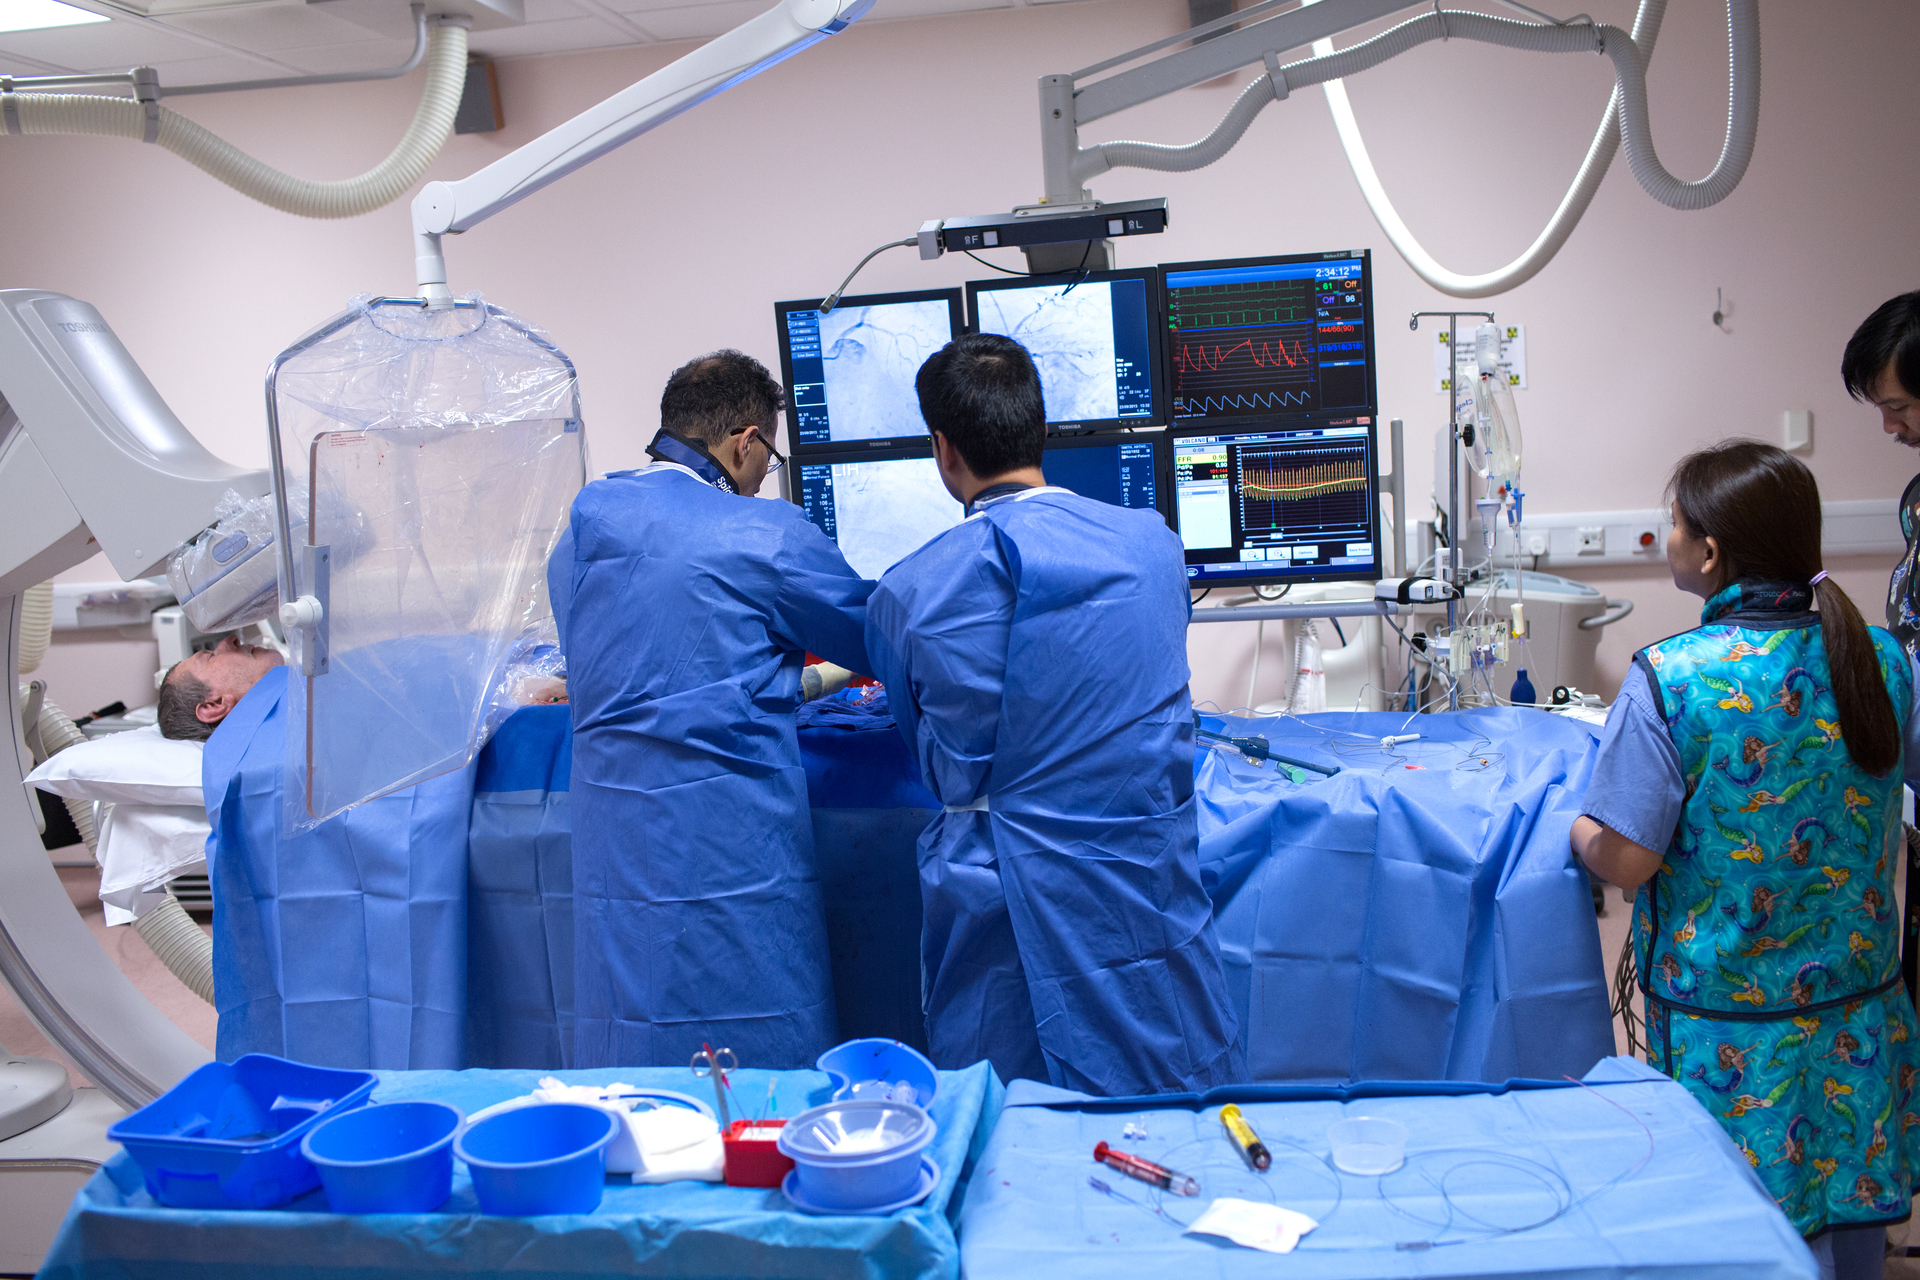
(686, 609)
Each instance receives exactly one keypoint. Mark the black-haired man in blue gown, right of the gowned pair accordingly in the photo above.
(1036, 657)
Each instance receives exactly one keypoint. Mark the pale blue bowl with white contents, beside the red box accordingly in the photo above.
(857, 1154)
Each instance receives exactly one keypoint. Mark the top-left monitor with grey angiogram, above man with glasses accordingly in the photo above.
(852, 371)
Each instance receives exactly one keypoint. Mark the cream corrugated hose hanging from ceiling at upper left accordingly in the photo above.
(396, 176)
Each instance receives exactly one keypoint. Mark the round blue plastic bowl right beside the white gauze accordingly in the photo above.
(539, 1160)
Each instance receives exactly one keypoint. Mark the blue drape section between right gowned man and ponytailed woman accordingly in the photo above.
(1418, 916)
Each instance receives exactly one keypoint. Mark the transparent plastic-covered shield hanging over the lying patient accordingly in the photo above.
(437, 456)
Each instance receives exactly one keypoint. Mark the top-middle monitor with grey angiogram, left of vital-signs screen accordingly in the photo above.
(1095, 339)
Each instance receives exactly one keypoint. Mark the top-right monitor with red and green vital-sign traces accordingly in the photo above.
(1270, 339)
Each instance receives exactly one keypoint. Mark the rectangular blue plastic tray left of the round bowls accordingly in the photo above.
(229, 1135)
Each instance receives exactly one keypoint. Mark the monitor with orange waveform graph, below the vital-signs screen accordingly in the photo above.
(1289, 502)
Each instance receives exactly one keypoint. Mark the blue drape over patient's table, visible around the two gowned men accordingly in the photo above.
(1387, 922)
